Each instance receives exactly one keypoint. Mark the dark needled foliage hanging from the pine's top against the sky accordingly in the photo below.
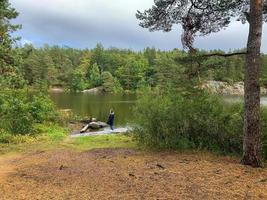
(196, 17)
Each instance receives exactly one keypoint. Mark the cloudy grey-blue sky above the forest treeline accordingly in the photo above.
(84, 23)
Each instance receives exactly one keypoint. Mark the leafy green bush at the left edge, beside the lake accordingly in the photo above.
(20, 110)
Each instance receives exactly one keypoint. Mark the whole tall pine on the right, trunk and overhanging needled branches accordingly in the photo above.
(204, 17)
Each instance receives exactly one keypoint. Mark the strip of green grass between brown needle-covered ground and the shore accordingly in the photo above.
(51, 136)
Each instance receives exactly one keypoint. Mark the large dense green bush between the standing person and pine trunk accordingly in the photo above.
(191, 120)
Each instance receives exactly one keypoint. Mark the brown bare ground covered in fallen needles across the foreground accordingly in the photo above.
(128, 174)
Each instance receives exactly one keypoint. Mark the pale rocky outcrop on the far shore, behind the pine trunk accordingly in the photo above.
(226, 88)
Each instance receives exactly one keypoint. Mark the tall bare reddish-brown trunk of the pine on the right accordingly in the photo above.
(251, 143)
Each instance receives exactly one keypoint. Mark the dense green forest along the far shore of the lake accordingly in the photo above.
(119, 70)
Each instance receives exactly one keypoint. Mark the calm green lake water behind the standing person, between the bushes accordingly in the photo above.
(97, 105)
